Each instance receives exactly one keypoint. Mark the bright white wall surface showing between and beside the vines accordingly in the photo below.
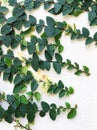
(85, 87)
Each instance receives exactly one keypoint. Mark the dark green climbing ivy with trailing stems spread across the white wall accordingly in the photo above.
(23, 104)
